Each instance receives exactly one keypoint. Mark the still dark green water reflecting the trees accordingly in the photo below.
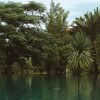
(44, 87)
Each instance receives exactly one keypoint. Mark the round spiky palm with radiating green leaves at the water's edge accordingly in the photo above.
(79, 53)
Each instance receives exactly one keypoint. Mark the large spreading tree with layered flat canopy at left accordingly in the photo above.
(19, 22)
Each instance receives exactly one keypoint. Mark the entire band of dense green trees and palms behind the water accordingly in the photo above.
(26, 47)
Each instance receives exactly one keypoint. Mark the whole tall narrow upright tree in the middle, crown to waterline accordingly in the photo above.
(56, 24)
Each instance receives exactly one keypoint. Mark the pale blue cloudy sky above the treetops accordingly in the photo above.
(76, 8)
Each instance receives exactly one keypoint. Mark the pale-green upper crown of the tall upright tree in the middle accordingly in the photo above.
(56, 19)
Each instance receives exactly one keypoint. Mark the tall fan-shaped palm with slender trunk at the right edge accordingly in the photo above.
(90, 24)
